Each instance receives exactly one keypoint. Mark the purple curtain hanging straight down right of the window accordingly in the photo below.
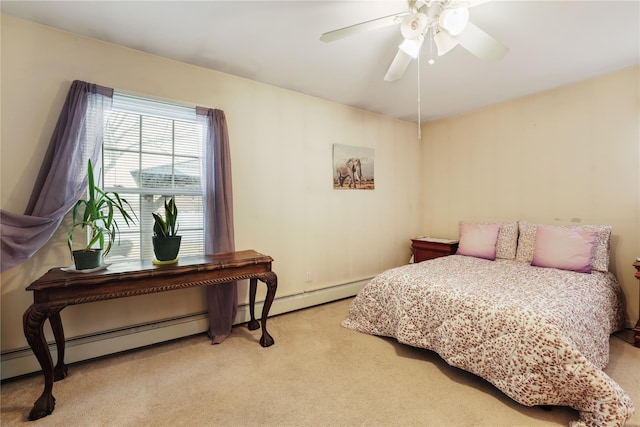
(222, 299)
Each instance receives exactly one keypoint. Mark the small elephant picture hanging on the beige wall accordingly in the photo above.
(353, 167)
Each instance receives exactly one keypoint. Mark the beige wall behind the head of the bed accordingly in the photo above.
(566, 156)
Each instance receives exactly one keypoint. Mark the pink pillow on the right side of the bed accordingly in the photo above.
(564, 248)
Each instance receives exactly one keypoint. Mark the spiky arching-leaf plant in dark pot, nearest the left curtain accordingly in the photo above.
(98, 216)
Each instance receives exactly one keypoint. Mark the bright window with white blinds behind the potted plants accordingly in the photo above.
(153, 150)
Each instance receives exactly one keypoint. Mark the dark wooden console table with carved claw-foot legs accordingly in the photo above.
(58, 289)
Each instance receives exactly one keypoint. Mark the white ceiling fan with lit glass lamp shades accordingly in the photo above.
(446, 22)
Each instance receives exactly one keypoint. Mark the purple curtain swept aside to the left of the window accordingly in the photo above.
(62, 179)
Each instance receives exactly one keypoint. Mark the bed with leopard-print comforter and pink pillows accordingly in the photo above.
(526, 314)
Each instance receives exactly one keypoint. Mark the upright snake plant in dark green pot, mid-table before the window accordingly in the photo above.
(166, 242)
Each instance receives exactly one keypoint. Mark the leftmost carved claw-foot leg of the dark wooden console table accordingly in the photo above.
(33, 322)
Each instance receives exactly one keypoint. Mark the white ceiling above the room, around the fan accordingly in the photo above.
(552, 43)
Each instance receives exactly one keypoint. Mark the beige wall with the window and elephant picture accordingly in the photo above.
(281, 144)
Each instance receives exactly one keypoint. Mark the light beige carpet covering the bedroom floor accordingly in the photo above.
(316, 374)
